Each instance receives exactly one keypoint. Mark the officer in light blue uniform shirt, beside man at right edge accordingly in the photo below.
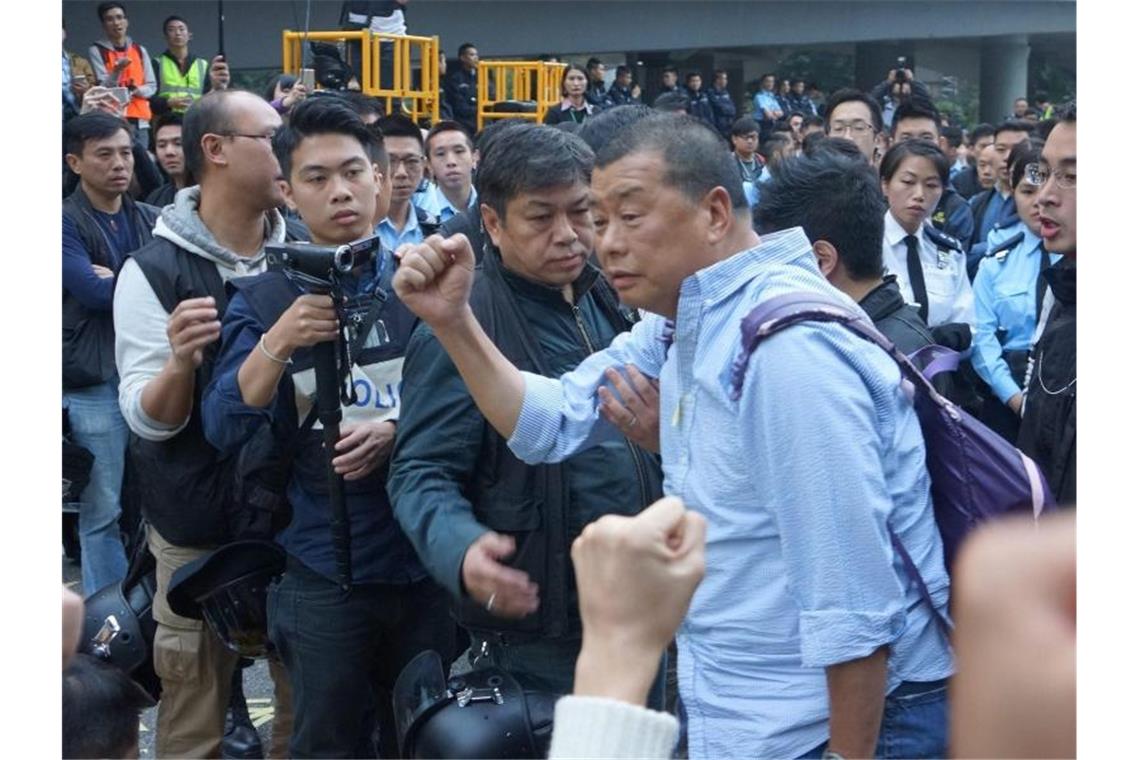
(1008, 293)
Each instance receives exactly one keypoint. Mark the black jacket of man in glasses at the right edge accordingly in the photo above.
(1048, 434)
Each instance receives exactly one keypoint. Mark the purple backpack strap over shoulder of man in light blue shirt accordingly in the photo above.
(784, 312)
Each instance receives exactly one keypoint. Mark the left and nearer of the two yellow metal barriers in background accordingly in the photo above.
(417, 97)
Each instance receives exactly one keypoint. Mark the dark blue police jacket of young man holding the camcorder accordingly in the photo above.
(381, 553)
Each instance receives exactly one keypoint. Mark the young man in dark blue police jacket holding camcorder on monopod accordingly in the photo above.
(344, 641)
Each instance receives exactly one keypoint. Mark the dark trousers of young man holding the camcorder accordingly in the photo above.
(344, 652)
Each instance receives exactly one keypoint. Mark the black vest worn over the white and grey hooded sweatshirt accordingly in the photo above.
(185, 484)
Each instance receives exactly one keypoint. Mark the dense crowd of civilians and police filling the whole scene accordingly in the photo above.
(539, 398)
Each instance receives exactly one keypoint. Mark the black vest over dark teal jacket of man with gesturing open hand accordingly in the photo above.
(509, 496)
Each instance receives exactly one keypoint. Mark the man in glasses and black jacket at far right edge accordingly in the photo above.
(1048, 430)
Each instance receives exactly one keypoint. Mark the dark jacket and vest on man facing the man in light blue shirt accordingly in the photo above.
(453, 477)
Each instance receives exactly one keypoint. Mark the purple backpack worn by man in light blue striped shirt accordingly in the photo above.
(975, 475)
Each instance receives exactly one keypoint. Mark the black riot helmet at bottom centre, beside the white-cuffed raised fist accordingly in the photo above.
(484, 714)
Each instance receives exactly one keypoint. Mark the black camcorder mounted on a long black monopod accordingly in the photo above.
(319, 269)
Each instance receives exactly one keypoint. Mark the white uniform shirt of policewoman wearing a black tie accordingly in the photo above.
(948, 284)
